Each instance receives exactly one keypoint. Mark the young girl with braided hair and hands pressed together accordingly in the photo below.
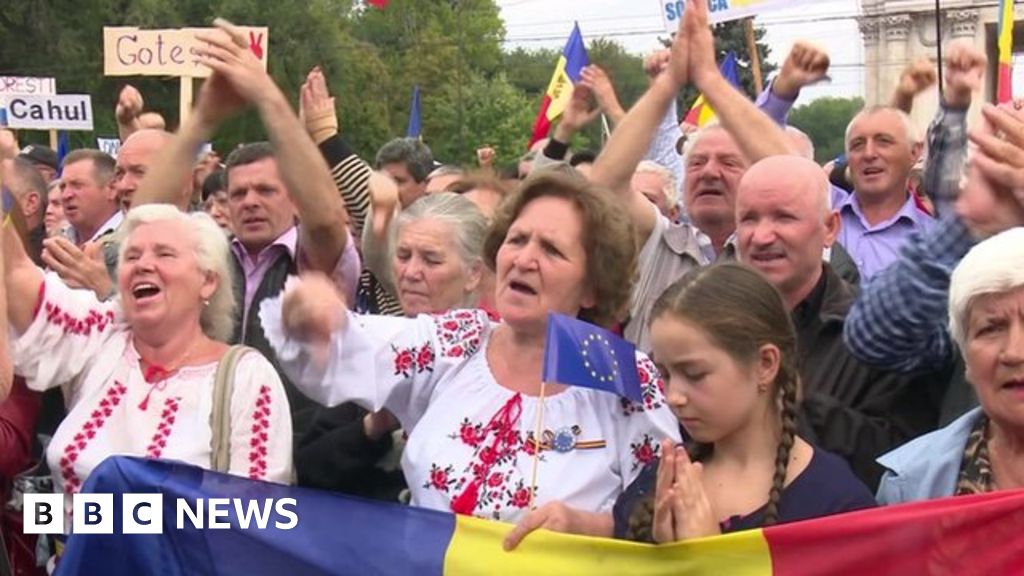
(727, 349)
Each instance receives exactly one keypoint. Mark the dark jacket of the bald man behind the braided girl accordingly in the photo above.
(850, 408)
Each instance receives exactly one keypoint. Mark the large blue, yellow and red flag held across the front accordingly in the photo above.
(333, 534)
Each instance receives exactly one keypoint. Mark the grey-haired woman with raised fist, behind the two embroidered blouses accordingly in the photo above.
(430, 255)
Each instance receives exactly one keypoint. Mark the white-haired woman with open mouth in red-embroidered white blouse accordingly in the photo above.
(140, 371)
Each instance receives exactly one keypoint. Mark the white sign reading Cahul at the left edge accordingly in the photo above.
(50, 112)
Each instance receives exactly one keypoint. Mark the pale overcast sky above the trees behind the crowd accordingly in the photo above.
(637, 24)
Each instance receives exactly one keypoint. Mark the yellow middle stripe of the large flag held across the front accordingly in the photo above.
(477, 549)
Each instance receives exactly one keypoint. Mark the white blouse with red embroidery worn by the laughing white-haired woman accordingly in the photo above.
(79, 342)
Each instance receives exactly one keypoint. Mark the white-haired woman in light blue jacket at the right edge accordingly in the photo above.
(984, 450)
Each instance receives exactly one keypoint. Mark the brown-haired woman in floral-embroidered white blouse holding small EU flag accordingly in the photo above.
(466, 390)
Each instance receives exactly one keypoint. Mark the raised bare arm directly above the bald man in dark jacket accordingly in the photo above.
(756, 134)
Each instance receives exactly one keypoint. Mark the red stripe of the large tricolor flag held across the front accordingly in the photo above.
(963, 536)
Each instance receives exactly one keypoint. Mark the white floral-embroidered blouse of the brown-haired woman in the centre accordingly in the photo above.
(472, 446)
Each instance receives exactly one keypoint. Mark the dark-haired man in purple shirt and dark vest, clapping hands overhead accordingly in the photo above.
(286, 213)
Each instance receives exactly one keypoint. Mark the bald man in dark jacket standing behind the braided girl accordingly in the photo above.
(784, 222)
